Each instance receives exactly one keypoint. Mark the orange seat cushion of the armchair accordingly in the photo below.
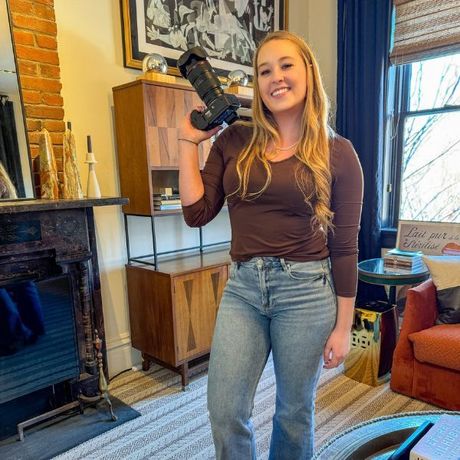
(438, 345)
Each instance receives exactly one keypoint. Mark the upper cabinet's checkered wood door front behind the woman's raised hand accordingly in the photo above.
(165, 109)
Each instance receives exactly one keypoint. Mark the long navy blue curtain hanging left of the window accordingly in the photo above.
(363, 41)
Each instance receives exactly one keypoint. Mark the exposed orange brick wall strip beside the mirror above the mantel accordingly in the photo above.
(34, 31)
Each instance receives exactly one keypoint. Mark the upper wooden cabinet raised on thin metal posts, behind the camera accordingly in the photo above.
(147, 119)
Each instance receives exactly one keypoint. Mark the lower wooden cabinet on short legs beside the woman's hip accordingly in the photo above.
(173, 309)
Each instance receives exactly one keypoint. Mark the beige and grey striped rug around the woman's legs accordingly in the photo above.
(174, 423)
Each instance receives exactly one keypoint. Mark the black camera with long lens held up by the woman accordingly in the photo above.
(220, 107)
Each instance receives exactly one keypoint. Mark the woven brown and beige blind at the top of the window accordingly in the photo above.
(424, 29)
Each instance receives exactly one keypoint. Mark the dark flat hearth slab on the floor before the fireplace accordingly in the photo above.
(58, 435)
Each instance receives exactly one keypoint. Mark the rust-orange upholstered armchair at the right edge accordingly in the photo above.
(426, 361)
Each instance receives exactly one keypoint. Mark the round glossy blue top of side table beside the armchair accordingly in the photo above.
(373, 271)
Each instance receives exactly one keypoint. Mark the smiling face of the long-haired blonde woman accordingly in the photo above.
(282, 77)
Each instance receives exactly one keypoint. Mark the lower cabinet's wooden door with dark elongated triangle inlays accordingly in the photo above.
(196, 300)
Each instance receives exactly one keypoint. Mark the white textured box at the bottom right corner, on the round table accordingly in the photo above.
(441, 442)
